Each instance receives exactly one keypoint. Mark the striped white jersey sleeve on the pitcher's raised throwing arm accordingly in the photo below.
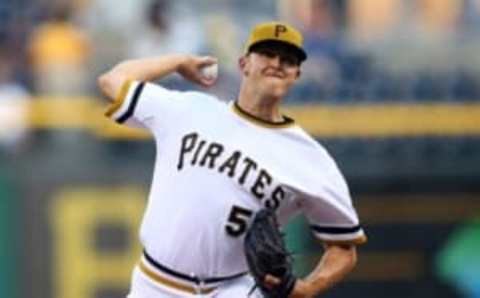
(146, 105)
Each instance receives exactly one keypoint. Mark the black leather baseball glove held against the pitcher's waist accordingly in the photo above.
(266, 253)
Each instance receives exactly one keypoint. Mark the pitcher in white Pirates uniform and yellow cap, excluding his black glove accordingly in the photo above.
(218, 164)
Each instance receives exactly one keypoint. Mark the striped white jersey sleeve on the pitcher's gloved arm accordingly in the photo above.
(331, 214)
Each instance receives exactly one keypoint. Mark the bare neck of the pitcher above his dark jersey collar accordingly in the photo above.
(265, 108)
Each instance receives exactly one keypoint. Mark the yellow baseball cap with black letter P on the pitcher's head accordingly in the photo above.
(277, 32)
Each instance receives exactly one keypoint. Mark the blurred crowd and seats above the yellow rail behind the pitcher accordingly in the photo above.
(359, 50)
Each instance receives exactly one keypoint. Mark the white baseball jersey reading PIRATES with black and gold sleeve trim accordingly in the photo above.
(215, 166)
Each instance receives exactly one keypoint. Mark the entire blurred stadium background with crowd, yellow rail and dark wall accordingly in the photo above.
(391, 88)
